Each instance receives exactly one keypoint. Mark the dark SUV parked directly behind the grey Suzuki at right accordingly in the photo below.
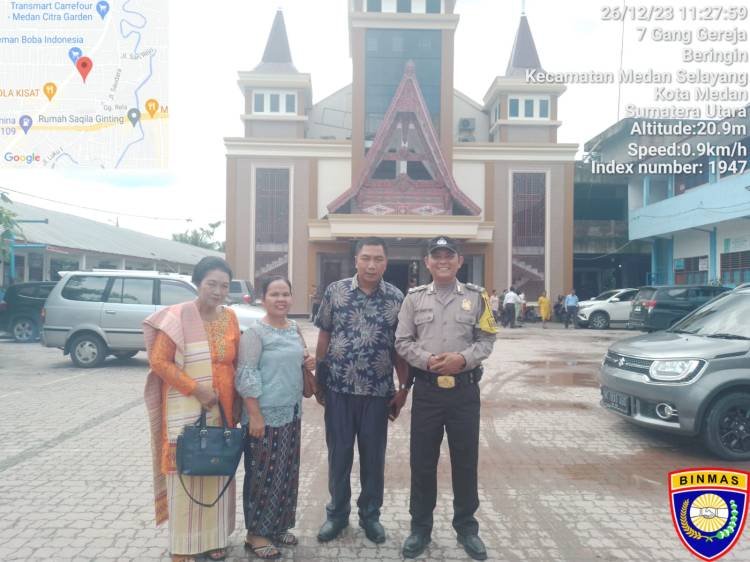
(659, 307)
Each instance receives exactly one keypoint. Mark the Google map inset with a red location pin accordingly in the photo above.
(84, 84)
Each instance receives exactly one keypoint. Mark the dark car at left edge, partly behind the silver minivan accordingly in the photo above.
(21, 309)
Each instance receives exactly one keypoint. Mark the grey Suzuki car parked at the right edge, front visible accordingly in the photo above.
(692, 379)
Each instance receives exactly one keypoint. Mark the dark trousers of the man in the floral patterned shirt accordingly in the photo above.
(364, 419)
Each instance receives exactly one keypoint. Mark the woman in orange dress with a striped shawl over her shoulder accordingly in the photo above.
(192, 351)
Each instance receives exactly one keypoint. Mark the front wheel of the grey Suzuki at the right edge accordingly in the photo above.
(727, 429)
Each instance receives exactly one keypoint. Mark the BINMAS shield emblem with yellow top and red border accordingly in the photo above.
(709, 508)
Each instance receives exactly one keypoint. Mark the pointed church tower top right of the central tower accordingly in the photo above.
(521, 110)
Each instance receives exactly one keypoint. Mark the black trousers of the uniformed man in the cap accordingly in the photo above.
(456, 412)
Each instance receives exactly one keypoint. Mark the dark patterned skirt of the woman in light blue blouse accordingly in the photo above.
(269, 495)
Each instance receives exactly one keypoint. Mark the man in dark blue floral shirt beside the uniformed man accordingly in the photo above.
(357, 320)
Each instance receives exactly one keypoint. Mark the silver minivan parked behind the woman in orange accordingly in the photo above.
(92, 314)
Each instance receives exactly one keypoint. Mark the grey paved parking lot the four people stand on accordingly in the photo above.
(560, 479)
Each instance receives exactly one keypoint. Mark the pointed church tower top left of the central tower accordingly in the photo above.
(277, 96)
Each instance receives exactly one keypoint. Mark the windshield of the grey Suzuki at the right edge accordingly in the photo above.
(724, 317)
